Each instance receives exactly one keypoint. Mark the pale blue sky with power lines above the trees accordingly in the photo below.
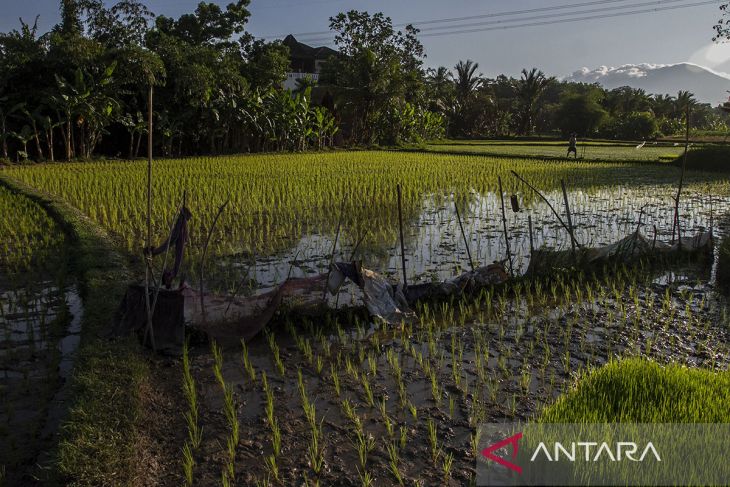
(658, 37)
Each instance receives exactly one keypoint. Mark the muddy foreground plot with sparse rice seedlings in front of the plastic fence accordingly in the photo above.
(419, 391)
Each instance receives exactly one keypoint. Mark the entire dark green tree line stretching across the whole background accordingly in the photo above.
(81, 89)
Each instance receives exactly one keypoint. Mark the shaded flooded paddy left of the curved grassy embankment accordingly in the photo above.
(40, 324)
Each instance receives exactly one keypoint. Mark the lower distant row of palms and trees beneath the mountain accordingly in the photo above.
(475, 106)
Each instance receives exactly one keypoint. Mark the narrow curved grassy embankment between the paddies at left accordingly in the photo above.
(97, 437)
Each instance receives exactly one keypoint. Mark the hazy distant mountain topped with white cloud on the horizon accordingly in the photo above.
(707, 85)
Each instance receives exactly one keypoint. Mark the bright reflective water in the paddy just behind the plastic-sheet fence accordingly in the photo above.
(436, 250)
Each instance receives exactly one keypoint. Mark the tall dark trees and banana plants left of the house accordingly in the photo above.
(83, 86)
